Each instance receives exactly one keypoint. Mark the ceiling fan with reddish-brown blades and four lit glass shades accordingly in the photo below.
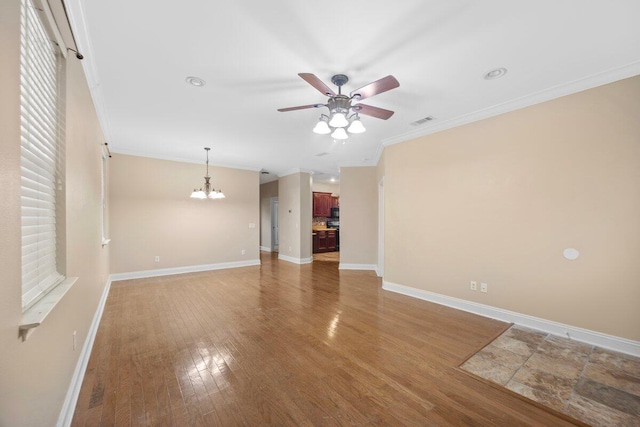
(340, 105)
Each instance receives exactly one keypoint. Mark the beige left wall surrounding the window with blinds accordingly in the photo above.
(35, 375)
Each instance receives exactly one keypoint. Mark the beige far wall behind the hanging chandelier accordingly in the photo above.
(151, 214)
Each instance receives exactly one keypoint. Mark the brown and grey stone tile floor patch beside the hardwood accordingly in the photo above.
(597, 386)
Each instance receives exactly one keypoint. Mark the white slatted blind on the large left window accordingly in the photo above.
(41, 154)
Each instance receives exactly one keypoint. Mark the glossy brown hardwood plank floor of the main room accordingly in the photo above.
(287, 344)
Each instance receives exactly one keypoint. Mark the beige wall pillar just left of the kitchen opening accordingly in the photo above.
(294, 215)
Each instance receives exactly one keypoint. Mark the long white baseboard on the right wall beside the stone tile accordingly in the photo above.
(611, 342)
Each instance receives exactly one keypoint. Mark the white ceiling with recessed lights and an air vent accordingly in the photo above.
(138, 54)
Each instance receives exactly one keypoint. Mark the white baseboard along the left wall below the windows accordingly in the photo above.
(70, 400)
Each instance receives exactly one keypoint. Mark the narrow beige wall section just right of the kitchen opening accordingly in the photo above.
(358, 215)
